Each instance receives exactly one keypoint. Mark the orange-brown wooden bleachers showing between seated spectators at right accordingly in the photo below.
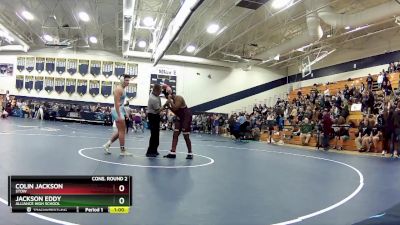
(354, 117)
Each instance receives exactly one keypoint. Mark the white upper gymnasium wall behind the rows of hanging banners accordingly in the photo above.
(197, 83)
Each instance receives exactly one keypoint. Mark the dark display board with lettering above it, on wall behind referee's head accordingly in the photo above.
(161, 75)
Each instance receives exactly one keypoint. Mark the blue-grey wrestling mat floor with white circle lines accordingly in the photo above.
(226, 183)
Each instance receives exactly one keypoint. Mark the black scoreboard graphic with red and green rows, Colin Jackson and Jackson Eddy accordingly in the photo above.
(70, 194)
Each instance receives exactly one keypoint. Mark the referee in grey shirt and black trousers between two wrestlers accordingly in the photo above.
(153, 113)
